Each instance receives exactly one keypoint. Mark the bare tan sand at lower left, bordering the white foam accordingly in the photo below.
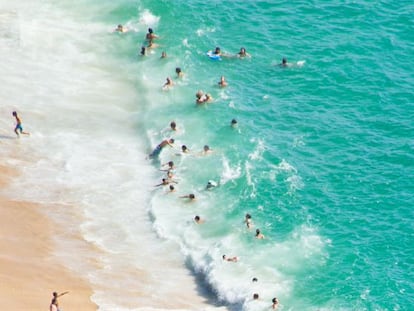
(29, 272)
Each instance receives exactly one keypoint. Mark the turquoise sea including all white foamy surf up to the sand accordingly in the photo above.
(322, 157)
